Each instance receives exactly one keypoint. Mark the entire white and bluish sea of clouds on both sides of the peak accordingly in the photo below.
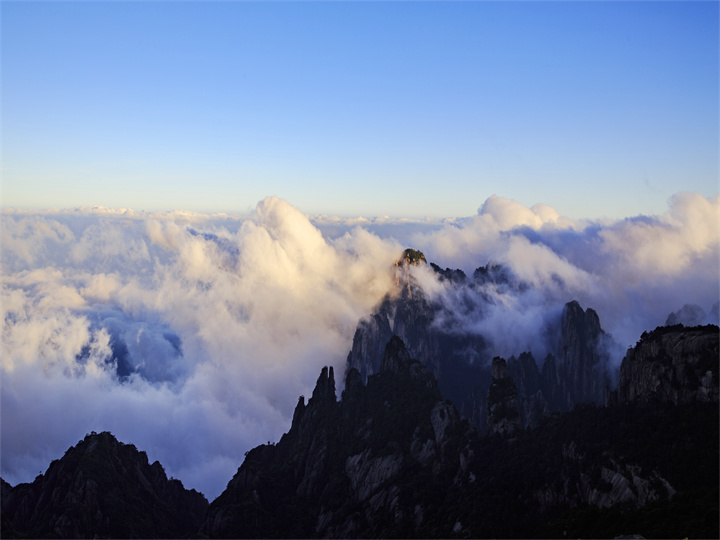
(192, 335)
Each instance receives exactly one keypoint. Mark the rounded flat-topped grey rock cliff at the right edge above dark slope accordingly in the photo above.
(672, 363)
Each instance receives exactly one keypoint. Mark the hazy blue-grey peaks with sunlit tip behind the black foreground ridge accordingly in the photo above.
(576, 370)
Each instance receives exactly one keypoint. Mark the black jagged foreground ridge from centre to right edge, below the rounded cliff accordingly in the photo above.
(392, 459)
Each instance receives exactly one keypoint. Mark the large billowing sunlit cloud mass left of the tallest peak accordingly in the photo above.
(191, 339)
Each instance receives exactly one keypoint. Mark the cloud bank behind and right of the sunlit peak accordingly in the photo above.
(634, 272)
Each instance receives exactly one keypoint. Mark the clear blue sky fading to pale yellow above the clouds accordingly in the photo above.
(599, 109)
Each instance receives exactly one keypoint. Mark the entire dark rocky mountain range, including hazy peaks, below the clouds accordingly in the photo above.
(435, 437)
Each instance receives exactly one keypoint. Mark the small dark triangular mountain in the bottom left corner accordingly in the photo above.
(101, 488)
